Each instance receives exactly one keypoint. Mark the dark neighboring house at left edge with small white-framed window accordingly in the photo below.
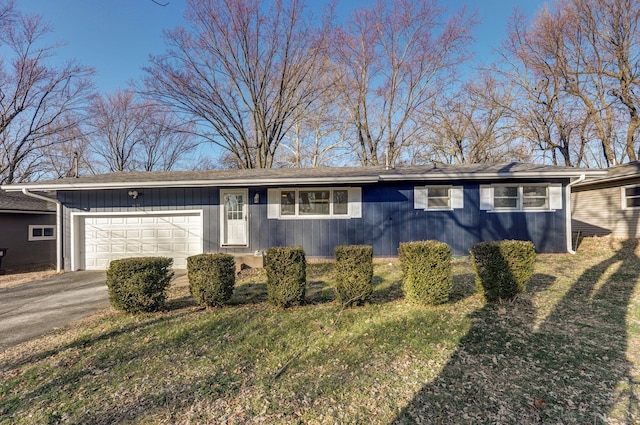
(27, 230)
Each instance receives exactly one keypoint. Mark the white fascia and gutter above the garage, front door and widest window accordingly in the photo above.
(193, 183)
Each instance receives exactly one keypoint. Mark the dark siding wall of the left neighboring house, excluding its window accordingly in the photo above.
(15, 236)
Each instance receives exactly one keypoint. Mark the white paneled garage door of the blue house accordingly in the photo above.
(109, 238)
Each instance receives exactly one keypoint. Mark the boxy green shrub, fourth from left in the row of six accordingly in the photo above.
(353, 274)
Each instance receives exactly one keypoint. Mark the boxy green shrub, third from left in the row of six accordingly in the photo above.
(286, 276)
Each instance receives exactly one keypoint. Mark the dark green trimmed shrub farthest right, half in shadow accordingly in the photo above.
(502, 268)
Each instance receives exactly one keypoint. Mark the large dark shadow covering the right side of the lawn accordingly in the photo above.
(569, 368)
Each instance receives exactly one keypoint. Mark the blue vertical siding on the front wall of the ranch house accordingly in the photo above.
(388, 218)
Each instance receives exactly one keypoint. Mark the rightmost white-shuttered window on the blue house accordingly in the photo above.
(521, 197)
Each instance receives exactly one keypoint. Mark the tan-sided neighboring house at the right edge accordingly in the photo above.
(608, 205)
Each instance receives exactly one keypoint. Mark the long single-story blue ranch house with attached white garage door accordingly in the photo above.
(179, 214)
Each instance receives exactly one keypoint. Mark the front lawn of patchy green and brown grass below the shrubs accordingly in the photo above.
(568, 351)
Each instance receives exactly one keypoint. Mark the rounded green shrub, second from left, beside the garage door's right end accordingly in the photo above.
(211, 278)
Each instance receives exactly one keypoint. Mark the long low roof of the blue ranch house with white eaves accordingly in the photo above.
(294, 176)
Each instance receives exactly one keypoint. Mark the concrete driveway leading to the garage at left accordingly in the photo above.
(32, 309)
